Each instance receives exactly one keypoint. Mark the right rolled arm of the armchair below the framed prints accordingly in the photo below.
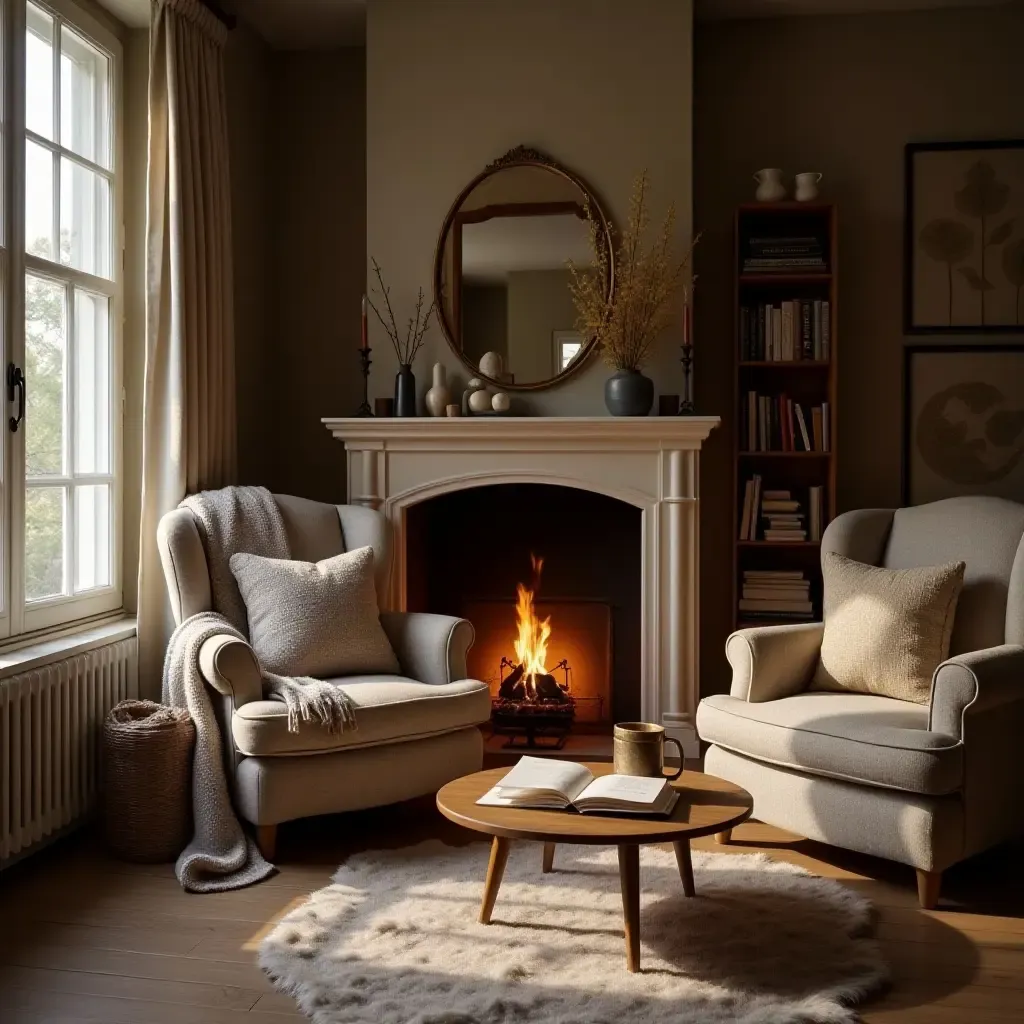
(973, 684)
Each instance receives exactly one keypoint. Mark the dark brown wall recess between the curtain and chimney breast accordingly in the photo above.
(298, 179)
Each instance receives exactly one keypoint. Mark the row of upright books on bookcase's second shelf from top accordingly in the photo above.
(788, 332)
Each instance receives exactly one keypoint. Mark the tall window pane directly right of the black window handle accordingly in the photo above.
(46, 350)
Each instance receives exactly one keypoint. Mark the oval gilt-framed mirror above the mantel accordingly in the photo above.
(502, 271)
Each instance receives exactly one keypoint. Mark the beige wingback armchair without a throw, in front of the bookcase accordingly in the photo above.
(924, 785)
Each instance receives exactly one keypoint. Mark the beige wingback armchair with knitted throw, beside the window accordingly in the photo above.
(416, 732)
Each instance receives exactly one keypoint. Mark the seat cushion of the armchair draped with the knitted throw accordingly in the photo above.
(390, 709)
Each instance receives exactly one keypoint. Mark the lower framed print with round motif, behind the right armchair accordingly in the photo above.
(963, 421)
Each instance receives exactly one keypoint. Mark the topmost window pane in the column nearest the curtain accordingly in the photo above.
(86, 121)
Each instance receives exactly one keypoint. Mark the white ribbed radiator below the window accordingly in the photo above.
(51, 740)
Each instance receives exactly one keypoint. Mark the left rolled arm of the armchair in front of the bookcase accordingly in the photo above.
(774, 662)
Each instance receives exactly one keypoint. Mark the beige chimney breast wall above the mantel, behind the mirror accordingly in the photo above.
(604, 87)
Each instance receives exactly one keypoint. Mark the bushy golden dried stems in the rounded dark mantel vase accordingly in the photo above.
(628, 323)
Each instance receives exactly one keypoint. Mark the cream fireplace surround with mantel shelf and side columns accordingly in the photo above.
(649, 466)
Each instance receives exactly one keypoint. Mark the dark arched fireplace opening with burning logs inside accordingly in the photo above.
(550, 577)
